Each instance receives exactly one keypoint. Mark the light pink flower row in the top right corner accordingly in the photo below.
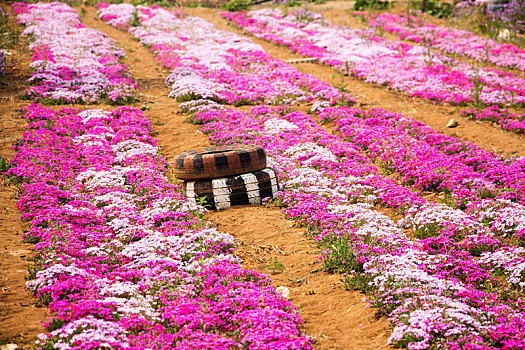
(451, 40)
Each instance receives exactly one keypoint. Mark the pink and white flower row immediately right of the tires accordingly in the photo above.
(436, 293)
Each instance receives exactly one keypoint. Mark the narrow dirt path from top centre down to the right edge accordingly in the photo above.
(372, 96)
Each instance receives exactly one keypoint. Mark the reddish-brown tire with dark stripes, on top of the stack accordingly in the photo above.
(218, 162)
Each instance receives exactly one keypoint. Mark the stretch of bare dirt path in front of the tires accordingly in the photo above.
(334, 318)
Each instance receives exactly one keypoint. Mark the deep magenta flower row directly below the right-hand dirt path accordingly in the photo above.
(428, 160)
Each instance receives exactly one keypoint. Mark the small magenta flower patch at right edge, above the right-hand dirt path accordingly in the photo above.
(503, 117)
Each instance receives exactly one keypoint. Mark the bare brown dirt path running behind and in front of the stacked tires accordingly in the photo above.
(335, 318)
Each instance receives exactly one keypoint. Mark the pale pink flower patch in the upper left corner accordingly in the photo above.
(72, 63)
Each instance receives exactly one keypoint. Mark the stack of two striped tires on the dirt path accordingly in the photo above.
(224, 176)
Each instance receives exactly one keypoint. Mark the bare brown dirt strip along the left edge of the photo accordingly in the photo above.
(20, 312)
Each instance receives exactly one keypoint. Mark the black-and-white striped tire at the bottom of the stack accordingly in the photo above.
(222, 193)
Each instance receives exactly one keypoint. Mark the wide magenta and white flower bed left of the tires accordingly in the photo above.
(122, 259)
